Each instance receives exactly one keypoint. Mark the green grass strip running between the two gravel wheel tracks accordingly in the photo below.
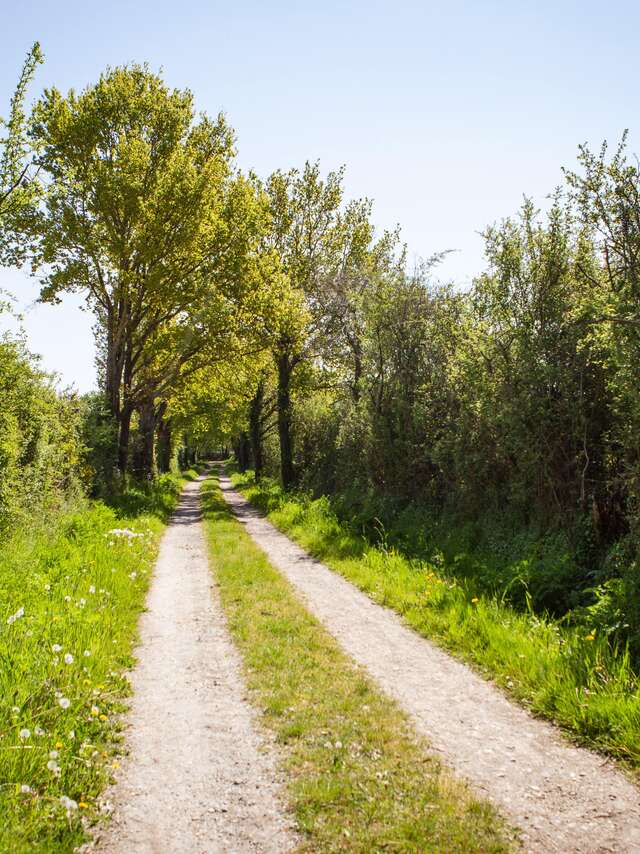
(358, 778)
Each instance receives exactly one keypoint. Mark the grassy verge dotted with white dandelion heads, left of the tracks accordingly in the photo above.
(71, 591)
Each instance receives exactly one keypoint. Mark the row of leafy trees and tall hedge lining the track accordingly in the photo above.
(269, 313)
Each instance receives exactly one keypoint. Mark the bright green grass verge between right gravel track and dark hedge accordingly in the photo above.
(569, 675)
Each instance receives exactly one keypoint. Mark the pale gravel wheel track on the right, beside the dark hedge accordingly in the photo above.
(563, 798)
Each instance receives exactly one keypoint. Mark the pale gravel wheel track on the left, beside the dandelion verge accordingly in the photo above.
(198, 778)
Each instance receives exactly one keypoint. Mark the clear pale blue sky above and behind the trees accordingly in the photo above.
(444, 113)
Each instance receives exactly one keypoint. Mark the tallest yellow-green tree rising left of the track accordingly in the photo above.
(133, 213)
